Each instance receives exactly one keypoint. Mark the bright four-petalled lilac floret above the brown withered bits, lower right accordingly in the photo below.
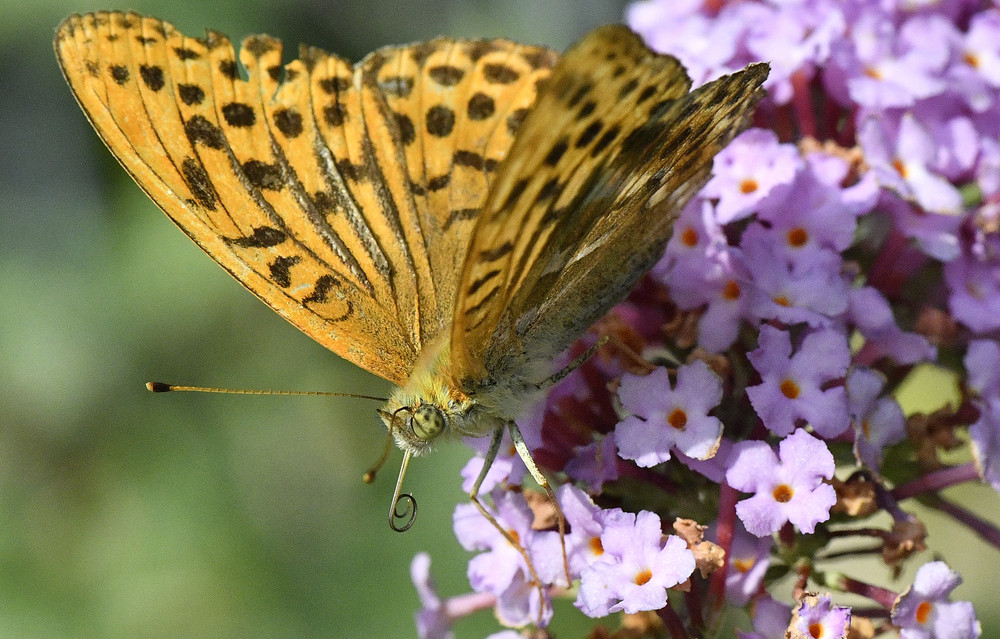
(787, 487)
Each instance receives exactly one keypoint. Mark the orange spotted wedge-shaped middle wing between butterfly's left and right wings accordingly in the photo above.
(453, 106)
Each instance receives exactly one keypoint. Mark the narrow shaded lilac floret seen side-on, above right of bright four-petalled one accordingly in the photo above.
(878, 421)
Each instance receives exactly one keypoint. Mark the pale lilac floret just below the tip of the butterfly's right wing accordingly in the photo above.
(747, 170)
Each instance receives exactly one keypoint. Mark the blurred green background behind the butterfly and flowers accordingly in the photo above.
(127, 514)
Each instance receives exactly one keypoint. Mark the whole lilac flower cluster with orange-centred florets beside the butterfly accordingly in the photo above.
(850, 237)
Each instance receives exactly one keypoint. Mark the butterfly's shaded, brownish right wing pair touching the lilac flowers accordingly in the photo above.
(586, 200)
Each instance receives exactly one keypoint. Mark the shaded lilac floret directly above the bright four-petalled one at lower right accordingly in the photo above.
(792, 386)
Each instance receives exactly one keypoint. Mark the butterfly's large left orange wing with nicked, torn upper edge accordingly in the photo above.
(294, 180)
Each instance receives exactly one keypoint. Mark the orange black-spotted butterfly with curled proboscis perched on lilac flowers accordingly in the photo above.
(449, 215)
